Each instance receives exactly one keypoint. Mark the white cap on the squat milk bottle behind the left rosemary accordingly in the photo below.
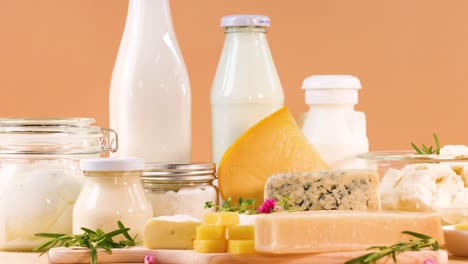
(112, 164)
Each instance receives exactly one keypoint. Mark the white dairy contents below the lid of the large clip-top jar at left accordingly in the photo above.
(36, 197)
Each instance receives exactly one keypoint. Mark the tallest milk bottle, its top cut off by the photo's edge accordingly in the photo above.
(150, 100)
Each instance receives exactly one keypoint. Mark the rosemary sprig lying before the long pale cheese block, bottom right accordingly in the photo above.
(421, 241)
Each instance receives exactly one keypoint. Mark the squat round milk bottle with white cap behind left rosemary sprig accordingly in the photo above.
(112, 192)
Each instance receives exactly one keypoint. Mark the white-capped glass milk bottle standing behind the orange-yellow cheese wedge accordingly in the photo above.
(246, 87)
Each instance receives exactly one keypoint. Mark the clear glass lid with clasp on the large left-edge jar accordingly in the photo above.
(54, 136)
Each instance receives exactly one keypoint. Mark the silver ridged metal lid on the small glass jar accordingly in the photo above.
(202, 172)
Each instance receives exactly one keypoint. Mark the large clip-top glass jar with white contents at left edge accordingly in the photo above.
(40, 177)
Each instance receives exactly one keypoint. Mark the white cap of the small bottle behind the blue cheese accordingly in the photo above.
(331, 89)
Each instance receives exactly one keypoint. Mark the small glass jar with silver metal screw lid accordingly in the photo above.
(180, 188)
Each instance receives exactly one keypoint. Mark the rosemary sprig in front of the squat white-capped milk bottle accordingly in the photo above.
(93, 240)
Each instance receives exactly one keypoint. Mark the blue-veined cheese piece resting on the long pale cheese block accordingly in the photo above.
(327, 190)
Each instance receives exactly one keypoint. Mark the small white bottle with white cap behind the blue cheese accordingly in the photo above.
(336, 130)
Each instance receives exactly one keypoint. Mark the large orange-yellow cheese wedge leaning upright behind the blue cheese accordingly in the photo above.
(274, 145)
